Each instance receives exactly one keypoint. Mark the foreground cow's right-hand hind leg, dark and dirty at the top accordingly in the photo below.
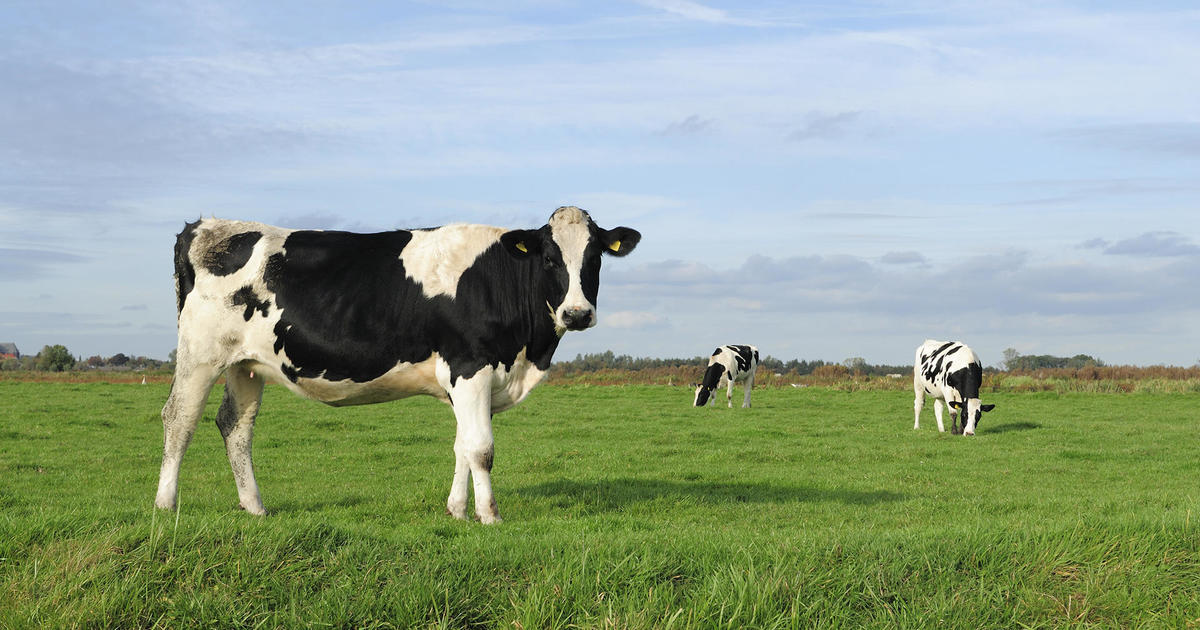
(236, 421)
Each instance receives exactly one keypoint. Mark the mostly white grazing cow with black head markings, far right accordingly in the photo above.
(949, 371)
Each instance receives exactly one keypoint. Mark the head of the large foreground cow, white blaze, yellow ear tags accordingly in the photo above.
(571, 247)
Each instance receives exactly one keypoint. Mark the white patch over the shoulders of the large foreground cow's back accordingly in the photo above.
(437, 259)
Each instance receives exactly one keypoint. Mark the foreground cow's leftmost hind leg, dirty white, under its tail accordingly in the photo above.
(181, 416)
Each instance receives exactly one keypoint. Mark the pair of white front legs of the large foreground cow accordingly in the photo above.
(473, 447)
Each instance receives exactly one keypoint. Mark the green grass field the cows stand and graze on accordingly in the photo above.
(625, 508)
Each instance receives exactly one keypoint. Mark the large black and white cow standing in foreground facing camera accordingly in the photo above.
(470, 315)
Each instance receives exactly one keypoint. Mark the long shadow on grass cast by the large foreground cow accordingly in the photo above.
(617, 494)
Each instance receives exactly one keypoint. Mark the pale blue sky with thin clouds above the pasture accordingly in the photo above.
(820, 179)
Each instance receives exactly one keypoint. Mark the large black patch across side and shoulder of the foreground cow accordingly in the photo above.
(350, 313)
